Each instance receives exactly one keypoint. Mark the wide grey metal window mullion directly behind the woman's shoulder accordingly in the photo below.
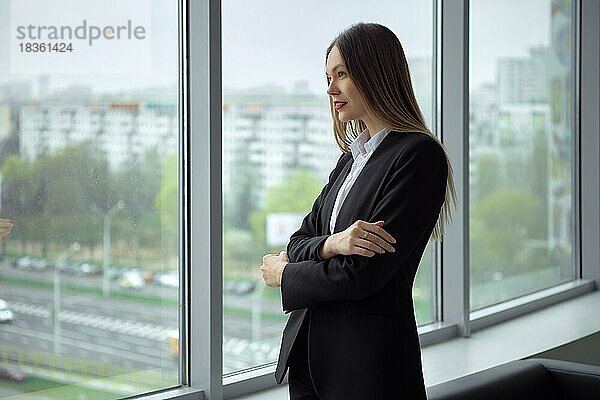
(455, 136)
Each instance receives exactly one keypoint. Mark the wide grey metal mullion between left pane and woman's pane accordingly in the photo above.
(205, 296)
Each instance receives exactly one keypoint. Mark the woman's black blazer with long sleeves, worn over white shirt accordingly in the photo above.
(362, 334)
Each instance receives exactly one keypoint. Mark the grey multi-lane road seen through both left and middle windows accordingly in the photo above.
(125, 333)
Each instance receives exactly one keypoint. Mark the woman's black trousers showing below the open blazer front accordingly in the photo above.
(299, 381)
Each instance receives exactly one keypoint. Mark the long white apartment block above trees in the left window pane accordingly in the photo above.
(123, 130)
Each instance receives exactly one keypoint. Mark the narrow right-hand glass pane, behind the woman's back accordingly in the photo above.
(521, 141)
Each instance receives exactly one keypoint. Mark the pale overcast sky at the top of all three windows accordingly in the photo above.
(283, 41)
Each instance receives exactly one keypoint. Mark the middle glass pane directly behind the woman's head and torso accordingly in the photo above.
(278, 146)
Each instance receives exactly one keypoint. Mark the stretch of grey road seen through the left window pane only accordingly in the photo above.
(88, 335)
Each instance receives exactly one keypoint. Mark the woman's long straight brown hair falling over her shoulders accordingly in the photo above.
(377, 65)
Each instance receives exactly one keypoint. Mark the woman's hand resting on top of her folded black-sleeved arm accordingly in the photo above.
(361, 238)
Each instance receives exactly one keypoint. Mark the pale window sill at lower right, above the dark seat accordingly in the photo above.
(545, 329)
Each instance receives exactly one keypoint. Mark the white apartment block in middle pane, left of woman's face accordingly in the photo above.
(274, 135)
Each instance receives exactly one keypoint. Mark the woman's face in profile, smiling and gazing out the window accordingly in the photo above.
(343, 92)
